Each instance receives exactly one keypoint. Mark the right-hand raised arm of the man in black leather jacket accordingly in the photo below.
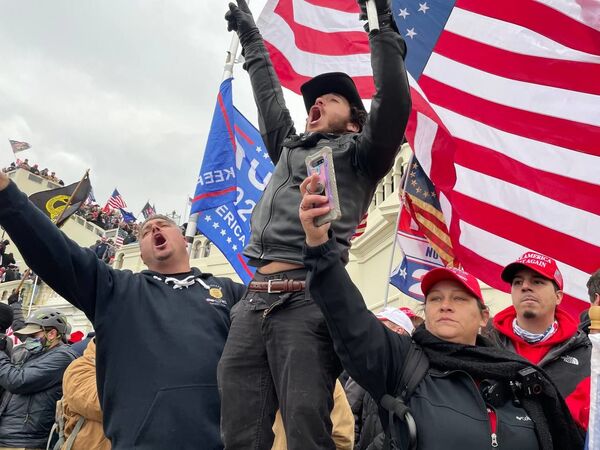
(382, 135)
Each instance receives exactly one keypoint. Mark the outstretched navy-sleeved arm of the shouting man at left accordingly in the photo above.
(73, 272)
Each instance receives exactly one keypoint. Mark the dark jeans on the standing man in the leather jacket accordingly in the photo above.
(278, 353)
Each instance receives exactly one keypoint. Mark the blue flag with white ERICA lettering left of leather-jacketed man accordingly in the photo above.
(234, 172)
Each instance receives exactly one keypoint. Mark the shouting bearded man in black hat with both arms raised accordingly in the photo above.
(279, 352)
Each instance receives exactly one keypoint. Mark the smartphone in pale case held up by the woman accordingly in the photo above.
(321, 163)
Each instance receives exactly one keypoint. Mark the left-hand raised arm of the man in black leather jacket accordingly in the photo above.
(274, 119)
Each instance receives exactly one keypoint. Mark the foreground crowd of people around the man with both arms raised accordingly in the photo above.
(186, 360)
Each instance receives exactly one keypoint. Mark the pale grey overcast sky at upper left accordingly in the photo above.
(125, 88)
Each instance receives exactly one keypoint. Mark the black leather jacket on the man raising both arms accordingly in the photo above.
(360, 159)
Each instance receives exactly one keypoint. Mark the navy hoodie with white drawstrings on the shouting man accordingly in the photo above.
(160, 336)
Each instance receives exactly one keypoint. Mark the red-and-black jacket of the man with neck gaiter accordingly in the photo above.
(565, 357)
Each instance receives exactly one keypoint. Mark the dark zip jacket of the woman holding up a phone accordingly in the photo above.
(448, 408)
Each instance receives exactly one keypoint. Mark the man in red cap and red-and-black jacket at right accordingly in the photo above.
(536, 328)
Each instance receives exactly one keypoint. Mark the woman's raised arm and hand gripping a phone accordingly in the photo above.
(369, 352)
